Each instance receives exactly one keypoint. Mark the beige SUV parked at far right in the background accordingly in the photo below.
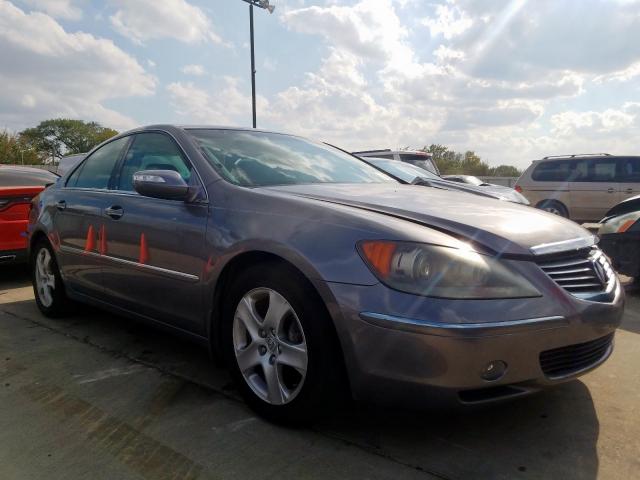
(581, 187)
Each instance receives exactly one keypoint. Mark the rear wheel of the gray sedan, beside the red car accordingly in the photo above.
(47, 282)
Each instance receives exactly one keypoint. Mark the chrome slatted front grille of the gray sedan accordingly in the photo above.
(582, 274)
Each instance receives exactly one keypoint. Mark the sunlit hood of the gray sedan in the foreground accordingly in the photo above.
(503, 227)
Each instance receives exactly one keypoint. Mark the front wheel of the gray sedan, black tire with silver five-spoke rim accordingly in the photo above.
(280, 345)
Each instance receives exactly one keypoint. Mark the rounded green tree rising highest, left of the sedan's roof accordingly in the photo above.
(62, 136)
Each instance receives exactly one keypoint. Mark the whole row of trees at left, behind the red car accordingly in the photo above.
(50, 140)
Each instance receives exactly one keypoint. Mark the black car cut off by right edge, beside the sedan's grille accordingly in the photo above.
(620, 236)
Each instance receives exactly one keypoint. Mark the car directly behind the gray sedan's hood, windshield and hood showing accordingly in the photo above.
(410, 174)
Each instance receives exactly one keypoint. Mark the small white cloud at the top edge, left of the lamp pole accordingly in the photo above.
(142, 20)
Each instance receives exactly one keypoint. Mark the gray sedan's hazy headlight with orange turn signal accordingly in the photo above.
(445, 272)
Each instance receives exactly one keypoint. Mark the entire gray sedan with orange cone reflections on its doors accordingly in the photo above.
(315, 275)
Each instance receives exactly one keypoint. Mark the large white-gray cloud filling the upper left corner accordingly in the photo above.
(56, 73)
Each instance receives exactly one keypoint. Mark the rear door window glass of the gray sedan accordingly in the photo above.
(96, 170)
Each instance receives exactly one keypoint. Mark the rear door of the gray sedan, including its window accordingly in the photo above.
(78, 219)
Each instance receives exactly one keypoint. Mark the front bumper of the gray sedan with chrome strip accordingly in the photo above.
(407, 358)
